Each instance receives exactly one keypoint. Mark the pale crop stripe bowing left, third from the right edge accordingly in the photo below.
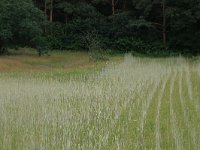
(174, 127)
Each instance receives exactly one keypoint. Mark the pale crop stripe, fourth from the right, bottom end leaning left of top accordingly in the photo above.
(157, 121)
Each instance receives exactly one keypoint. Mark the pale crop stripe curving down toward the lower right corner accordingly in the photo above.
(184, 109)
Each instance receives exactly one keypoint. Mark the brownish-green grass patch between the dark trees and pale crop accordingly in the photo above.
(60, 65)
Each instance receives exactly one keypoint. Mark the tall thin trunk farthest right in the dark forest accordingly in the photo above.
(164, 25)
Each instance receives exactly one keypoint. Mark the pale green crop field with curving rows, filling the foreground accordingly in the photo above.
(140, 103)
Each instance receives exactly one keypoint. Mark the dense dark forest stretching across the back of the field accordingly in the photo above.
(141, 26)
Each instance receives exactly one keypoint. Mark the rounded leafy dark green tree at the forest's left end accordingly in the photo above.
(20, 22)
